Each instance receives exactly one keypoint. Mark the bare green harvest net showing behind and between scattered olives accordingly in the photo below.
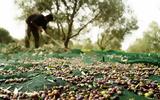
(41, 78)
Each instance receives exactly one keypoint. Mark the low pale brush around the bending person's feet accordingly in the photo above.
(17, 47)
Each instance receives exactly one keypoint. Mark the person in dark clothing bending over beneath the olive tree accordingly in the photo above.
(35, 24)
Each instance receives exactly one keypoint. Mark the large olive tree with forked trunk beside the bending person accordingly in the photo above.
(72, 17)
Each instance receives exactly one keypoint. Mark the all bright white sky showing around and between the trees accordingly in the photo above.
(146, 11)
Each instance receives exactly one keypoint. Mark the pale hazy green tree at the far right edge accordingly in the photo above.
(150, 41)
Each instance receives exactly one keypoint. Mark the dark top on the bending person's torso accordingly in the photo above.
(37, 19)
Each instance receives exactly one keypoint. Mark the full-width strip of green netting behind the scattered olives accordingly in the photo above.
(105, 56)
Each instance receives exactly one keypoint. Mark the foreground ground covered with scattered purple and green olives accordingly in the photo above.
(71, 78)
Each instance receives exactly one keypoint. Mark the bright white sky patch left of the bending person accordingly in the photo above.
(8, 19)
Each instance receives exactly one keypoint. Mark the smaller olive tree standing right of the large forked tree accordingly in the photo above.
(114, 35)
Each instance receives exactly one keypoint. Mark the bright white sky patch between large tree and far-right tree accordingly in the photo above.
(146, 11)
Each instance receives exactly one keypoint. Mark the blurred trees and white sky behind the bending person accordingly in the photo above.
(129, 25)
